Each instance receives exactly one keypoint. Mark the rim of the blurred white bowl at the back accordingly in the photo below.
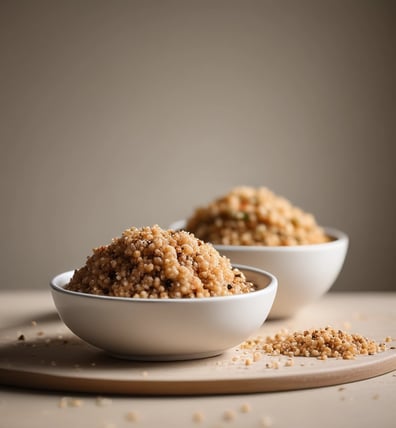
(338, 238)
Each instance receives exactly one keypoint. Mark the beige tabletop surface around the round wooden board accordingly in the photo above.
(365, 403)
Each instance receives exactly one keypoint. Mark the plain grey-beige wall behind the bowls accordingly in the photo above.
(121, 113)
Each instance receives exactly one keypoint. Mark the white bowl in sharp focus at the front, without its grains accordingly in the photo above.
(165, 329)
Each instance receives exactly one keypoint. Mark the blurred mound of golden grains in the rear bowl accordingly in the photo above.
(255, 216)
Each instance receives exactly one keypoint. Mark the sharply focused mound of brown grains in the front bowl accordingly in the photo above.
(154, 263)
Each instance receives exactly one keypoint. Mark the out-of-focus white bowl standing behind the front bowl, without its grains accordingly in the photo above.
(304, 272)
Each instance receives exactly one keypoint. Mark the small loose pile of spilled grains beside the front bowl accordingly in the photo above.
(321, 343)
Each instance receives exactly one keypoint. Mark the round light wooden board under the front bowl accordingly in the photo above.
(50, 357)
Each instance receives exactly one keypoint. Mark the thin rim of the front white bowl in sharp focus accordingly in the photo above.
(269, 289)
